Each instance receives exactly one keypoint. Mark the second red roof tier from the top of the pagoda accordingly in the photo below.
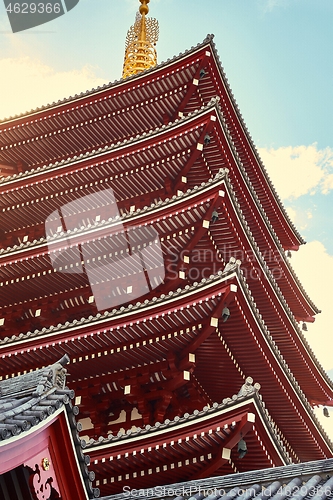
(177, 158)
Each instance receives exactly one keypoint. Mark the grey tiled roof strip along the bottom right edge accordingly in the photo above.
(311, 480)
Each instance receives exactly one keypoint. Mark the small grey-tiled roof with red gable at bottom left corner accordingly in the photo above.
(31, 403)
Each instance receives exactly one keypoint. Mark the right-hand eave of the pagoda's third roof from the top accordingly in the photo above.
(290, 340)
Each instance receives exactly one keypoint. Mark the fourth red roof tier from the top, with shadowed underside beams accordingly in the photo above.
(191, 322)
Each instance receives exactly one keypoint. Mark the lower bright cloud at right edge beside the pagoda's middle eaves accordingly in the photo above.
(314, 267)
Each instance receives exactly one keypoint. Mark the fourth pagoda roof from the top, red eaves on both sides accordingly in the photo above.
(95, 341)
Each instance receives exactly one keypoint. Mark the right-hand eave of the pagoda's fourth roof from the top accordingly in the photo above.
(280, 373)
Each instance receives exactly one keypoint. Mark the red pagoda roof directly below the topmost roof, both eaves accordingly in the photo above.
(27, 193)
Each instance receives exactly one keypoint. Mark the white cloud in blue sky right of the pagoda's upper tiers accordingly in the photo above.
(300, 170)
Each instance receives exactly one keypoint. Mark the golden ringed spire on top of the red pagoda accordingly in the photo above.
(140, 41)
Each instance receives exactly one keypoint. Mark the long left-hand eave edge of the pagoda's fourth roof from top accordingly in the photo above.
(86, 331)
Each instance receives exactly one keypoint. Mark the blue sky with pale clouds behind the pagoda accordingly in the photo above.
(277, 55)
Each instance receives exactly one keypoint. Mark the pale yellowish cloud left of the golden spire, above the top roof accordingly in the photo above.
(26, 84)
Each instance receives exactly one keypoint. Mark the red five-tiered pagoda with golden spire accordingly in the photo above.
(142, 237)
